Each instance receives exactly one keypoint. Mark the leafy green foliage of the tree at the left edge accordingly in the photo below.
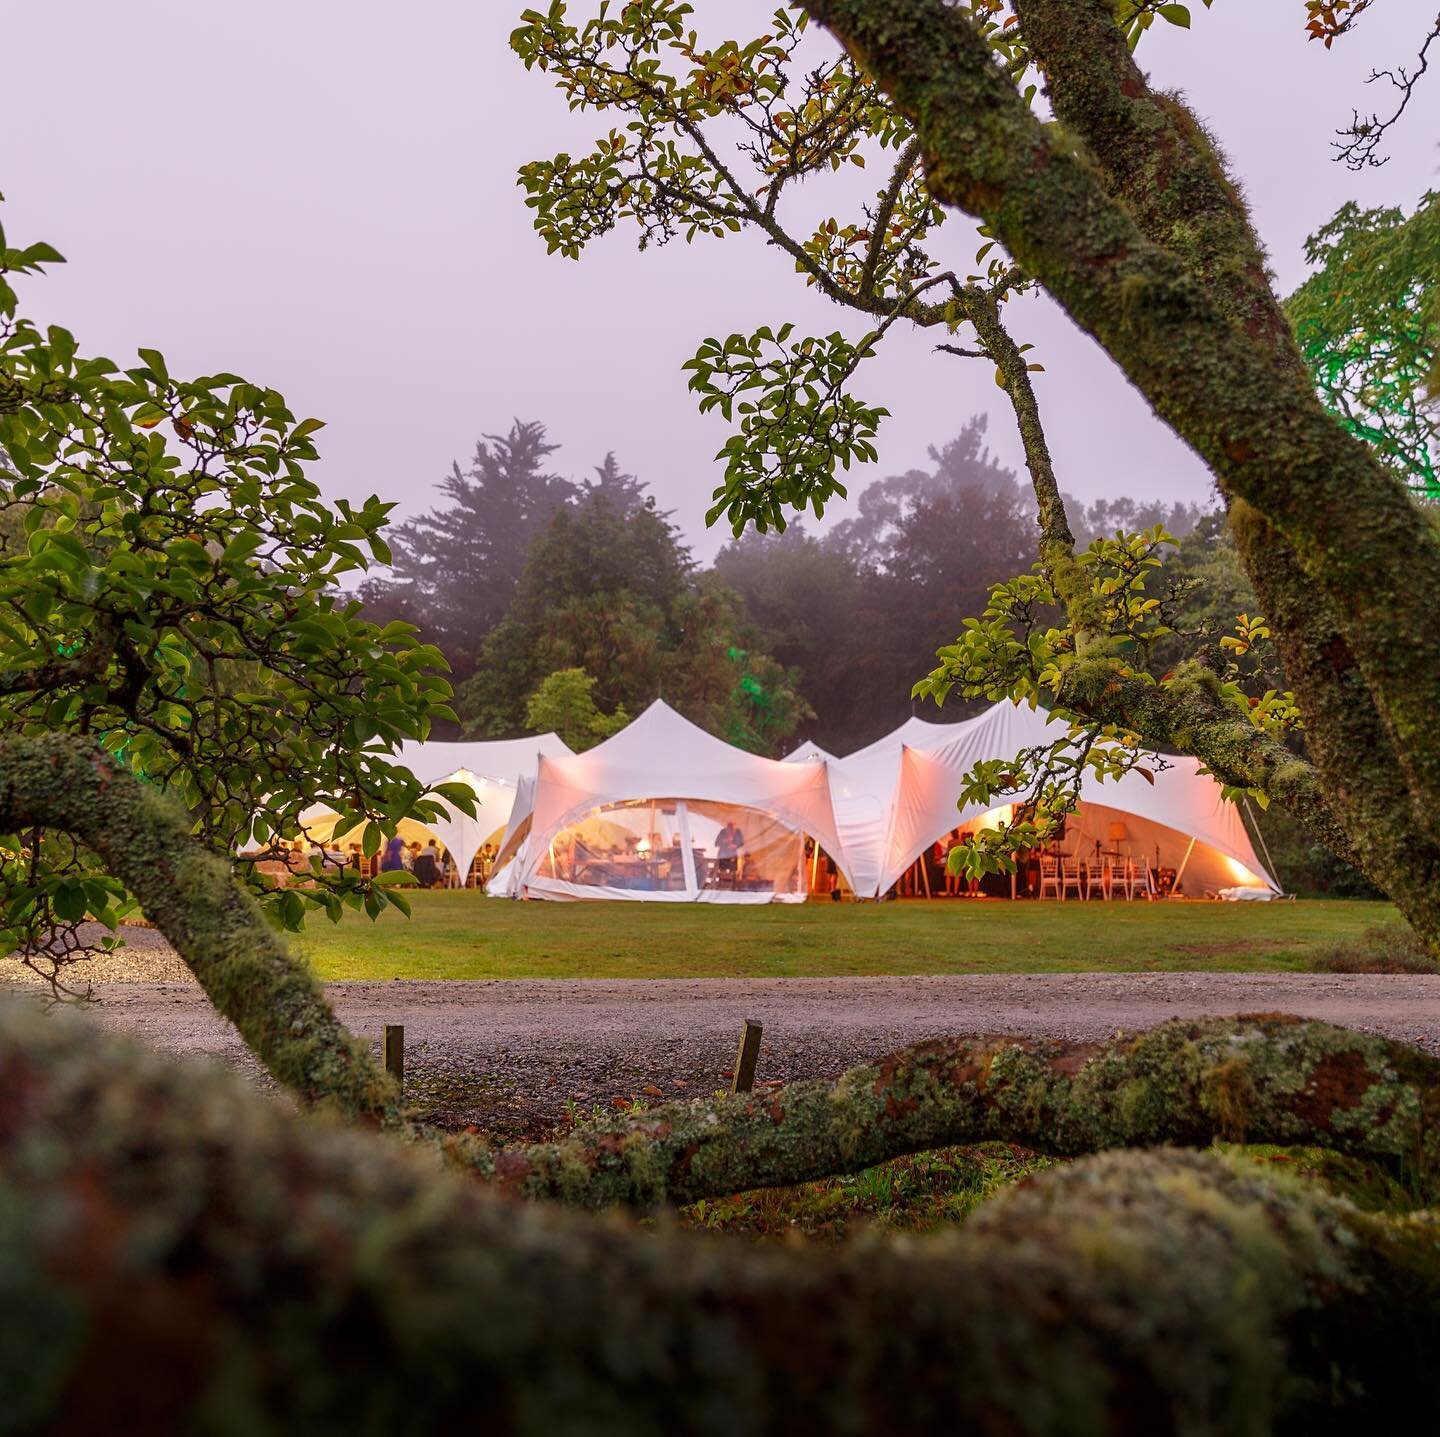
(169, 590)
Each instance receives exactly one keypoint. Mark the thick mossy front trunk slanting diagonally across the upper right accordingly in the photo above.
(1259, 425)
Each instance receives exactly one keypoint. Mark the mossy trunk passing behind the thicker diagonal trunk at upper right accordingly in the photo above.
(1157, 161)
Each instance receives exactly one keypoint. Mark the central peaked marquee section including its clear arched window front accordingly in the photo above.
(640, 817)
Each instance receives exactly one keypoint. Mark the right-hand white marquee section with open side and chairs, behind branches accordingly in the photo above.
(899, 796)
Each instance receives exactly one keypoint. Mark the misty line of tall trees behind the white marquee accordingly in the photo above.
(521, 572)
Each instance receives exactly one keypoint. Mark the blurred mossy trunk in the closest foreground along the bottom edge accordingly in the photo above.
(185, 1255)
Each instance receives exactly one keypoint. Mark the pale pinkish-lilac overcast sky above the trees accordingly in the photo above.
(322, 197)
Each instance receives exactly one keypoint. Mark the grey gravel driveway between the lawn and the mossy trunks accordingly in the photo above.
(512, 1055)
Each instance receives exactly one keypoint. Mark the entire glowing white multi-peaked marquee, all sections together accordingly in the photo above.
(644, 816)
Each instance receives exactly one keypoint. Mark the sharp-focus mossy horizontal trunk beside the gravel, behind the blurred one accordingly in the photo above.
(1266, 1079)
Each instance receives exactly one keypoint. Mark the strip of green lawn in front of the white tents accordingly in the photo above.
(467, 935)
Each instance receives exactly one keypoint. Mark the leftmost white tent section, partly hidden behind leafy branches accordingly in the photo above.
(493, 770)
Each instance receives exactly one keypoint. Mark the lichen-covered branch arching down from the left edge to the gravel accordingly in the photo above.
(191, 896)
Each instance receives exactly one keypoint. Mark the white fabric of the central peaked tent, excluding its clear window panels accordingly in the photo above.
(665, 760)
